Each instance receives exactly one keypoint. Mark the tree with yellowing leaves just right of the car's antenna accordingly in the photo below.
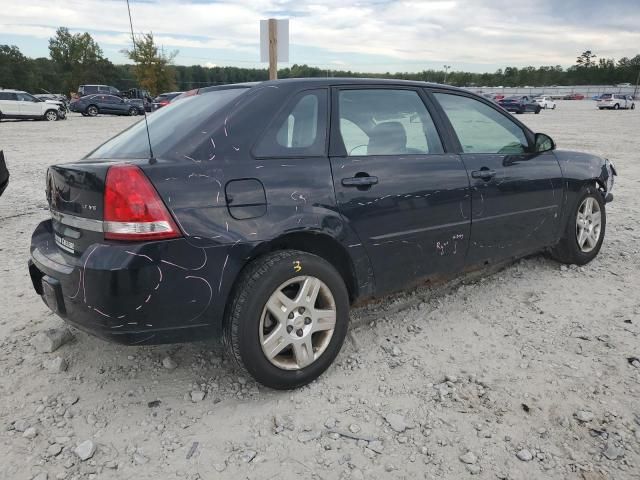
(154, 69)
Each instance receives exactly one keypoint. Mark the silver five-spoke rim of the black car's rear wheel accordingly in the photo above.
(297, 323)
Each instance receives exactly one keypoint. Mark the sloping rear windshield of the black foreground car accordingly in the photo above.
(175, 130)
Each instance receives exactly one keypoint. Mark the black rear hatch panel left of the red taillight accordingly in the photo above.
(75, 195)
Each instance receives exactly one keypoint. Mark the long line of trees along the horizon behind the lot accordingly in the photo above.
(76, 59)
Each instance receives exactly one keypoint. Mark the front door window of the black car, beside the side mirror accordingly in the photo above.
(480, 128)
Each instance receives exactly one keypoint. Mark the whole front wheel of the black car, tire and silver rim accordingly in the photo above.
(585, 229)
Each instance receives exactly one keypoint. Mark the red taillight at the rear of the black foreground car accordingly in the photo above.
(133, 210)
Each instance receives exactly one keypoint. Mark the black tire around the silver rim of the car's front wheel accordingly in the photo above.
(568, 249)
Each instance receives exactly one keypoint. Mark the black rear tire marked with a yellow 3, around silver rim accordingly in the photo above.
(247, 316)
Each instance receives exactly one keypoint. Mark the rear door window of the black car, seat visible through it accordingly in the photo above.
(386, 122)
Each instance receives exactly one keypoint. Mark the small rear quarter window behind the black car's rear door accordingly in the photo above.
(300, 130)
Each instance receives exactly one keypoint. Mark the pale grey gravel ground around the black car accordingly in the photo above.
(520, 373)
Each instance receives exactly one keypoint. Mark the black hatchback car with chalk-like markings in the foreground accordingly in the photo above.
(262, 212)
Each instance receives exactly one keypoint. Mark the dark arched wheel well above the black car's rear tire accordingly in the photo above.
(318, 244)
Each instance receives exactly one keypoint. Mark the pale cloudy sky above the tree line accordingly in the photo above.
(362, 35)
